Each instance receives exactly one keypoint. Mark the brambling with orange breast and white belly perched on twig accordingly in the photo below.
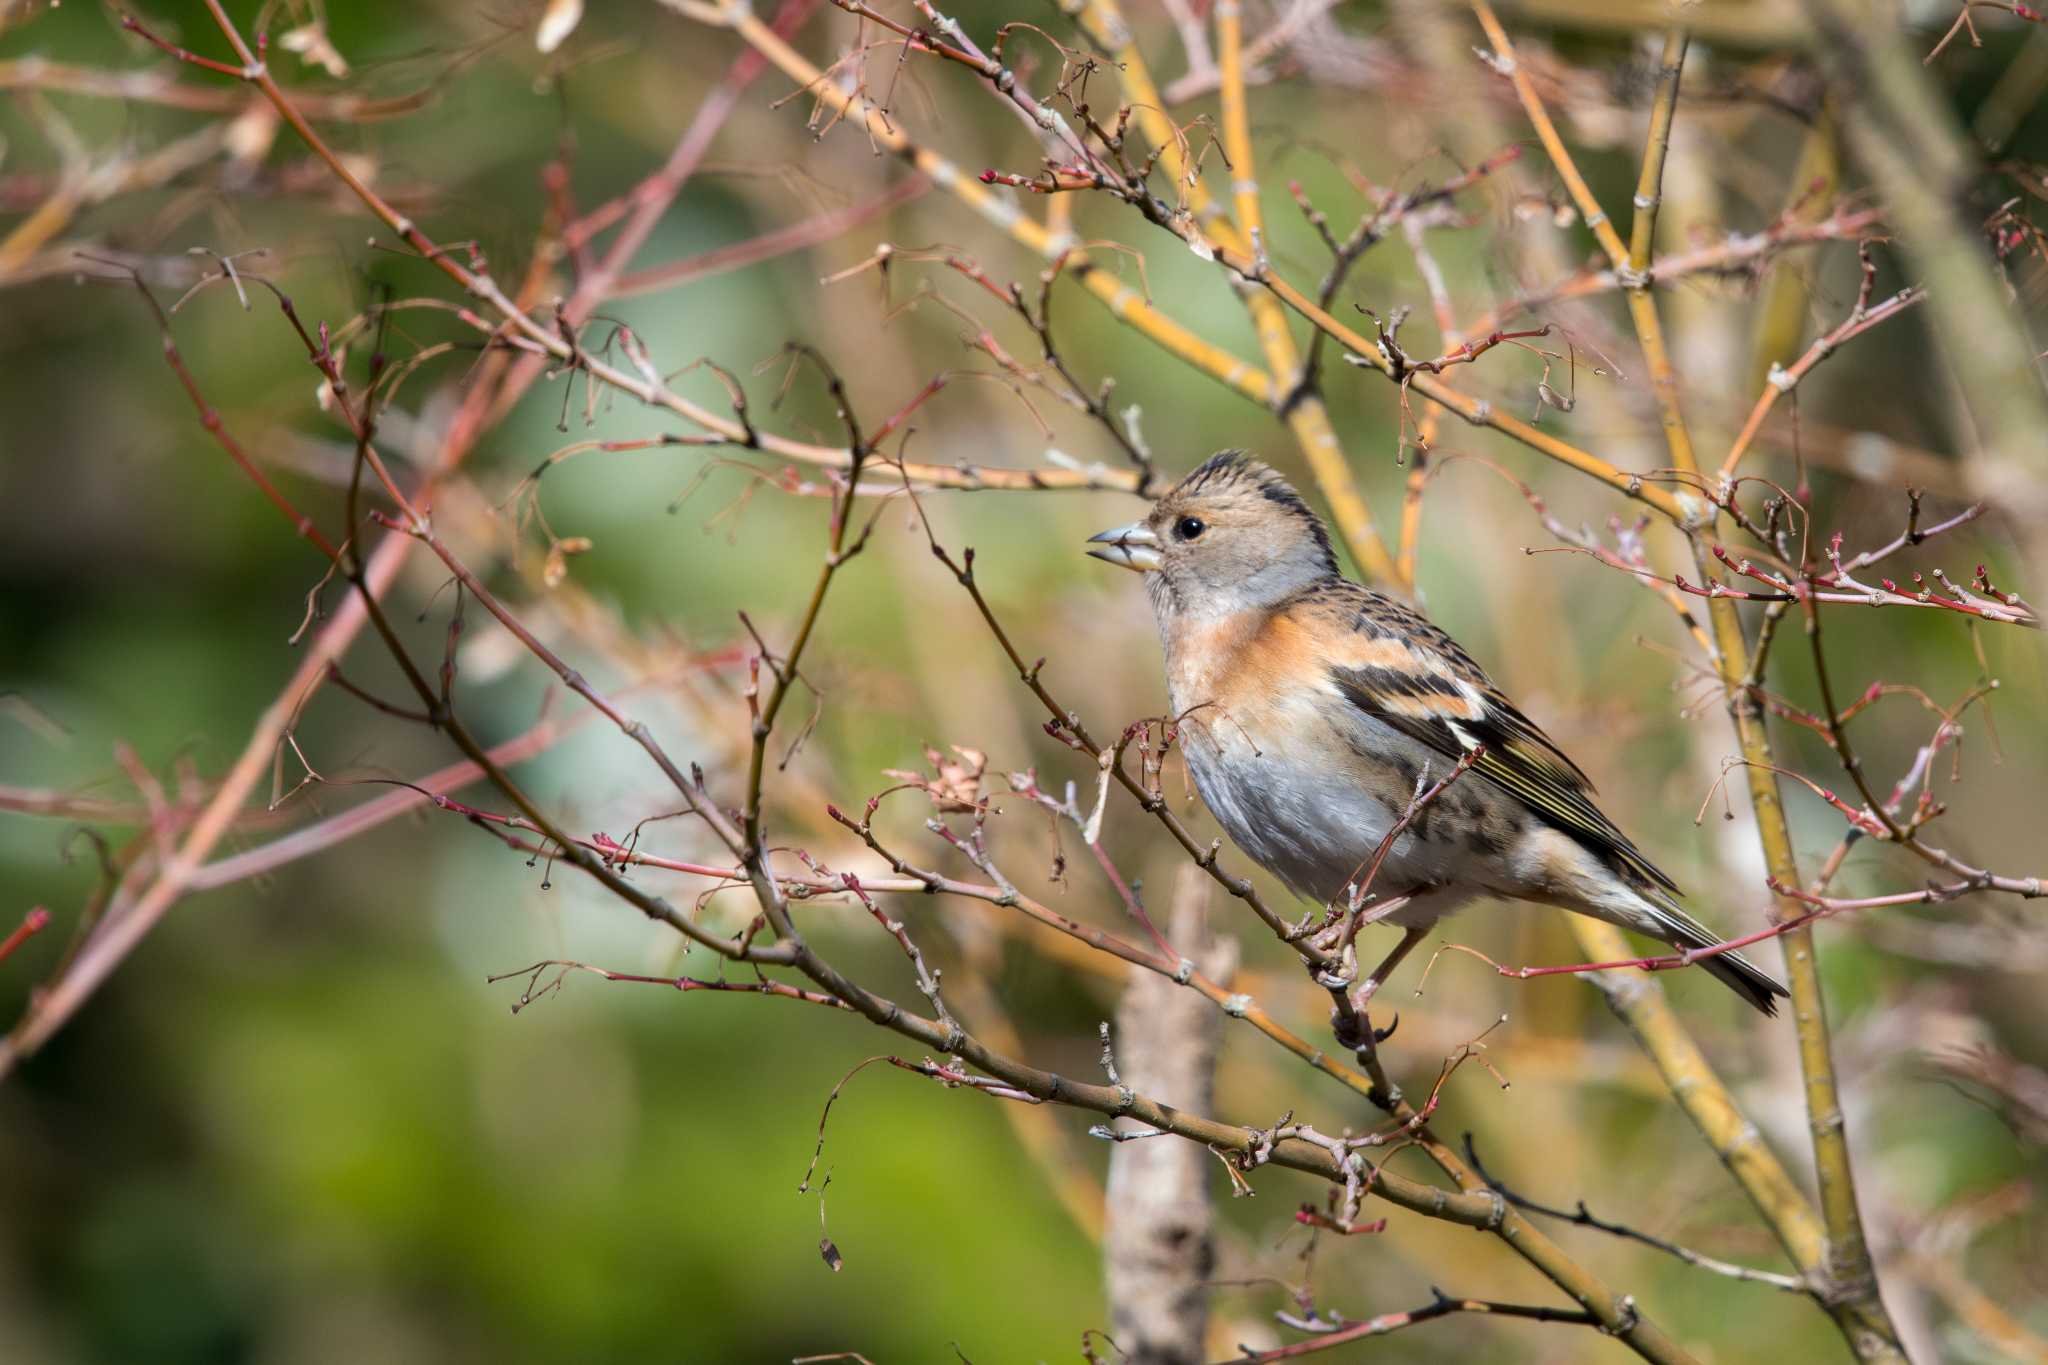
(1316, 711)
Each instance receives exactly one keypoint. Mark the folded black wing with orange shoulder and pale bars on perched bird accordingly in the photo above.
(1402, 670)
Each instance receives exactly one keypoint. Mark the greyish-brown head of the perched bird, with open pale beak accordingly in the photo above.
(1230, 537)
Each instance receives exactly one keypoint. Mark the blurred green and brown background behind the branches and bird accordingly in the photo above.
(300, 1127)
